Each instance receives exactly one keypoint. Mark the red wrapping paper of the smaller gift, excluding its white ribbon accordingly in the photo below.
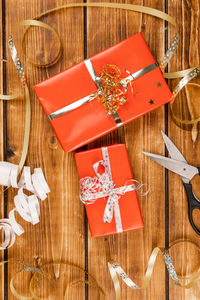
(121, 175)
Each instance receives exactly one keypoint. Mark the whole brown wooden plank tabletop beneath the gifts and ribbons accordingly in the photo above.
(63, 234)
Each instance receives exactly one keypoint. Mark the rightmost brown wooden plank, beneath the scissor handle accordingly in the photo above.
(186, 258)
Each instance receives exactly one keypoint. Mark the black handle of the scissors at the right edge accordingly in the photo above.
(192, 204)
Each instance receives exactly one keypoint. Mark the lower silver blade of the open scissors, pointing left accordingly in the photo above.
(178, 167)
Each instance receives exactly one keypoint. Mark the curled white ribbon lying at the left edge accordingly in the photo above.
(27, 206)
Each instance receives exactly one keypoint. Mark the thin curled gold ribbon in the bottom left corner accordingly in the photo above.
(41, 273)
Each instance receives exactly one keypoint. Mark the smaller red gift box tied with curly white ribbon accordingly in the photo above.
(108, 190)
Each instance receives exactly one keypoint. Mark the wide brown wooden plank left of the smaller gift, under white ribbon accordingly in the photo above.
(60, 234)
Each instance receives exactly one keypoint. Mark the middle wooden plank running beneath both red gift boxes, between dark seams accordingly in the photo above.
(132, 250)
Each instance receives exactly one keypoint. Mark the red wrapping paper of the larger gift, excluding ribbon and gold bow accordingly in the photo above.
(88, 122)
